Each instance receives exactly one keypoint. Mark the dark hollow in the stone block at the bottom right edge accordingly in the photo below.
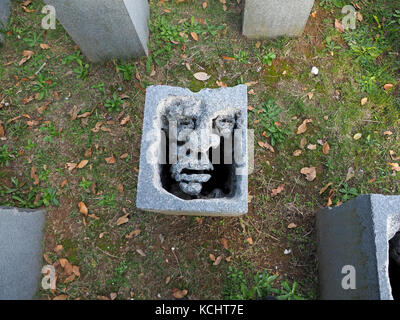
(394, 265)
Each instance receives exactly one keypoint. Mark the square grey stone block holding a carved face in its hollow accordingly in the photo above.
(194, 157)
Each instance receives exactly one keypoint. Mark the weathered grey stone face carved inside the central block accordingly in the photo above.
(193, 132)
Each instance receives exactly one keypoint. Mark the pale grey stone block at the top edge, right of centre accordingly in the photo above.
(274, 18)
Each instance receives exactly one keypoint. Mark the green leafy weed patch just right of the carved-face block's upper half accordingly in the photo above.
(269, 121)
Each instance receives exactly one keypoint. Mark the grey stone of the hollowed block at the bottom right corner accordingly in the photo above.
(357, 234)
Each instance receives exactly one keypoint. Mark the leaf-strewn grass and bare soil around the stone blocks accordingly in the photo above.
(73, 111)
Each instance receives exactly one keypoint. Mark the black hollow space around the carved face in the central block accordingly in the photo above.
(222, 182)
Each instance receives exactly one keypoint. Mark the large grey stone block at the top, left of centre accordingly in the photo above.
(106, 29)
